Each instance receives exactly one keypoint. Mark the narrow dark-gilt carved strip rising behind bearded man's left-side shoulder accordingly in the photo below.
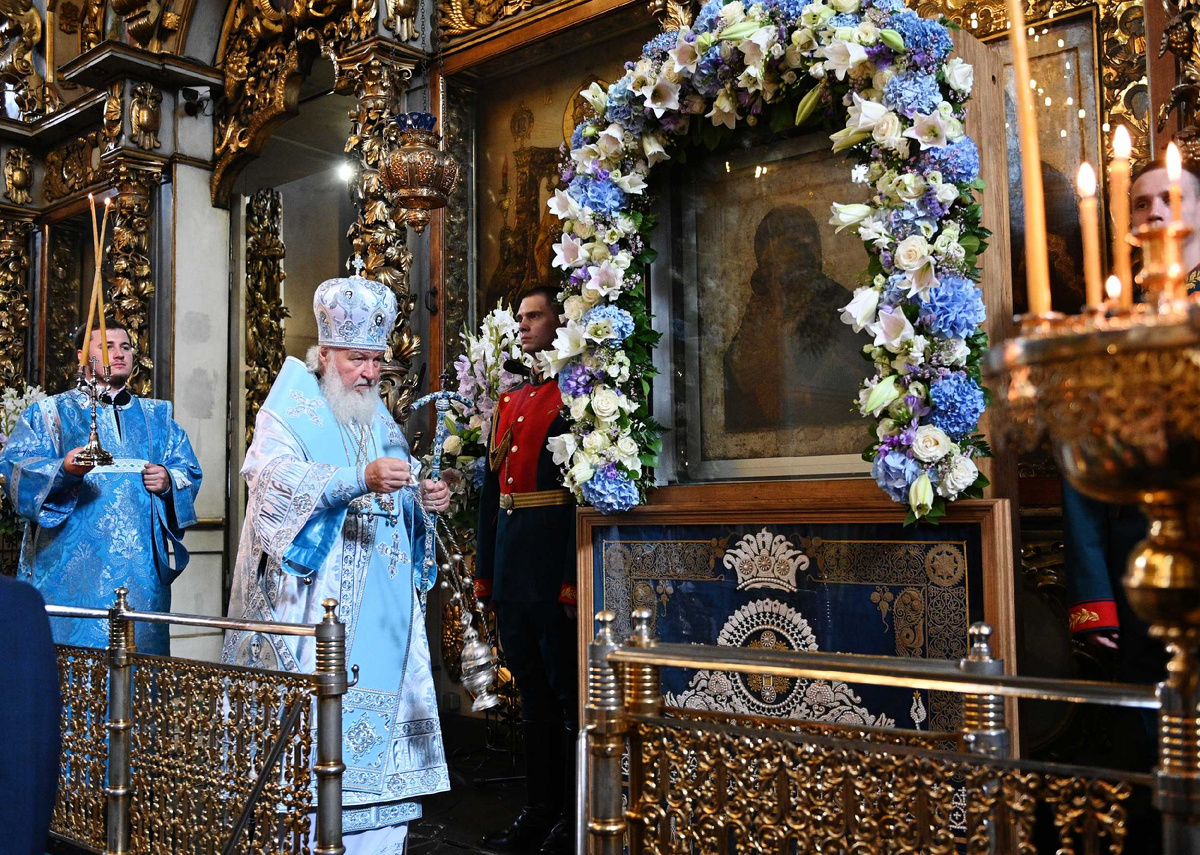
(265, 300)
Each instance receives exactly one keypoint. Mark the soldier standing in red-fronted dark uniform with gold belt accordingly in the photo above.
(526, 569)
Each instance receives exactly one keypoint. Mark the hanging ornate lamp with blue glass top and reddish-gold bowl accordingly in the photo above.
(418, 174)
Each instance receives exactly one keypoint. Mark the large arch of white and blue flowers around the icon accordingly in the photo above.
(886, 75)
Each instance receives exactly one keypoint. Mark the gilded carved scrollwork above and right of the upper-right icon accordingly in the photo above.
(1121, 38)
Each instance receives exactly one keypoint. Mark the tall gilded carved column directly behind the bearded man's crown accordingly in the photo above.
(380, 81)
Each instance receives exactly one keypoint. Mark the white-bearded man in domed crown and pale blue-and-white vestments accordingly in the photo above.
(321, 525)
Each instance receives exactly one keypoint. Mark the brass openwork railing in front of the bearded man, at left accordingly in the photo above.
(170, 756)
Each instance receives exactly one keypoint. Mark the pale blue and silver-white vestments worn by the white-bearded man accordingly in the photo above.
(314, 531)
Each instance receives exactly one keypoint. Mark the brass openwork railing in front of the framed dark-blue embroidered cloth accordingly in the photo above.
(663, 781)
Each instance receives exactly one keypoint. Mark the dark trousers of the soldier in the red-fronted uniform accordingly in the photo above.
(541, 647)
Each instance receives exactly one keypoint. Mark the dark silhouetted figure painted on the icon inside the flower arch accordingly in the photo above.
(793, 363)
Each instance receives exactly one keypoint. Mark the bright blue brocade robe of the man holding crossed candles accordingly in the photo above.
(89, 536)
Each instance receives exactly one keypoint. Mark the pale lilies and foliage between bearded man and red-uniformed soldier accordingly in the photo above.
(483, 379)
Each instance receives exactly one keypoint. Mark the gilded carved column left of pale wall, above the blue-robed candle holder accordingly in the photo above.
(131, 278)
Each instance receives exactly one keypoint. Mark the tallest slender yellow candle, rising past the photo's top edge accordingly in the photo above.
(1037, 265)
